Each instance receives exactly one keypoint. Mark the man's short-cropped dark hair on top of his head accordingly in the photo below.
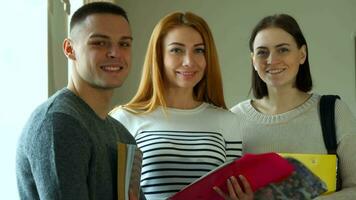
(96, 8)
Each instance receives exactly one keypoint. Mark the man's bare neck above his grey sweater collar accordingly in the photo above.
(98, 99)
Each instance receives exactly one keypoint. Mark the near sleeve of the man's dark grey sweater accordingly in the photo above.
(59, 158)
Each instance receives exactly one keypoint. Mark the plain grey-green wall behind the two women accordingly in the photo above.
(329, 27)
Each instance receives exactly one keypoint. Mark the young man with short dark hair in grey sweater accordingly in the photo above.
(68, 148)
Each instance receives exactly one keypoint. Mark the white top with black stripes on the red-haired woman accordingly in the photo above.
(182, 145)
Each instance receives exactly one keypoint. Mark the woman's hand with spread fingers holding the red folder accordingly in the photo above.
(235, 191)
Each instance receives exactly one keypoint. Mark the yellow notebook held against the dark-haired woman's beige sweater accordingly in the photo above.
(322, 165)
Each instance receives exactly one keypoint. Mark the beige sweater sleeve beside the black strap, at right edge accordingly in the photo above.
(346, 136)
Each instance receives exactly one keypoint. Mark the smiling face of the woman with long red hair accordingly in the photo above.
(183, 58)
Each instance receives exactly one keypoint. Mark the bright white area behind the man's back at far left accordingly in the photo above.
(23, 82)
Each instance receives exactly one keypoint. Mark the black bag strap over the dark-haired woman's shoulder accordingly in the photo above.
(327, 120)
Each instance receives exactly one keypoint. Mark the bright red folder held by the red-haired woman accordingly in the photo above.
(259, 170)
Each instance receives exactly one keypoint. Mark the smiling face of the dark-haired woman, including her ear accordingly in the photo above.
(276, 57)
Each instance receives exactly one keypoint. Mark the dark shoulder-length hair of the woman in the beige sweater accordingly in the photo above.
(289, 24)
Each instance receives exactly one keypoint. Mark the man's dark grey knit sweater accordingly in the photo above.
(67, 152)
